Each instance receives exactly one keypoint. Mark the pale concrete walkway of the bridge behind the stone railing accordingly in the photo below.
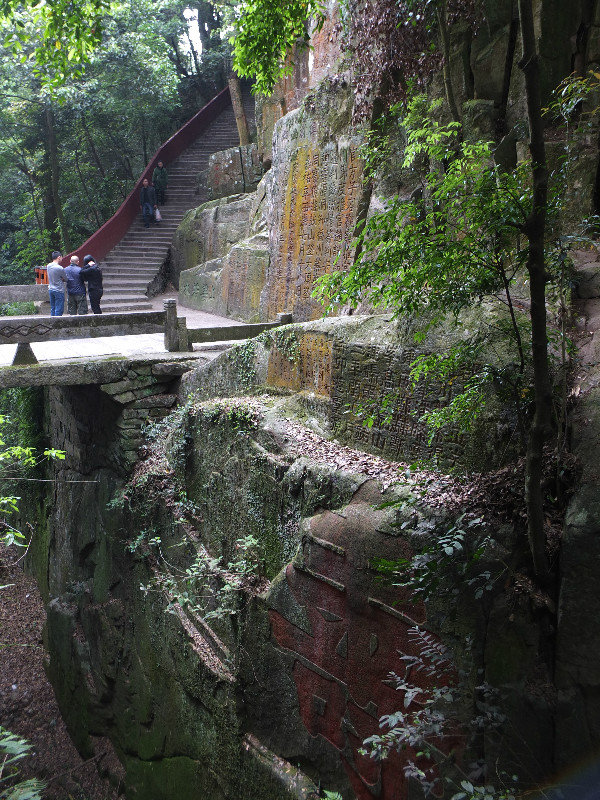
(152, 343)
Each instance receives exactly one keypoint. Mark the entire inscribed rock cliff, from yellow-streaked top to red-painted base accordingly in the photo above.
(215, 611)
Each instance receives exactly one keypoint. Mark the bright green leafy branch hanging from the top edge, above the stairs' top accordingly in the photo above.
(265, 35)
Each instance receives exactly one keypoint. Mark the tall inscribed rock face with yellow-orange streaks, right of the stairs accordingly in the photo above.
(309, 201)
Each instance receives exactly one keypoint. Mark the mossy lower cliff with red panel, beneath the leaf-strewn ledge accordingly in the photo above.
(260, 674)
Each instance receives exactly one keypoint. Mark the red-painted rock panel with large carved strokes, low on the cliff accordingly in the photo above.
(349, 635)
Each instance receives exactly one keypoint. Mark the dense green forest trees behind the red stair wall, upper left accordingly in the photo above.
(76, 132)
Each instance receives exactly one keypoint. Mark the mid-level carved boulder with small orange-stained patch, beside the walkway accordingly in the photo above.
(341, 366)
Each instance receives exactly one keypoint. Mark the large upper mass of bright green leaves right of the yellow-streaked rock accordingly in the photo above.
(441, 253)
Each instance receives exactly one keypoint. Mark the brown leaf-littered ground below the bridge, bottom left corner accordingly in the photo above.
(27, 703)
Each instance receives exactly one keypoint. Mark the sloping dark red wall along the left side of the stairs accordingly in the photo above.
(111, 233)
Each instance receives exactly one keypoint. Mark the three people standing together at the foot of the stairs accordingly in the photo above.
(74, 278)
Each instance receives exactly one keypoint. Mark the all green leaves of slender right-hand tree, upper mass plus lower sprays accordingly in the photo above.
(453, 246)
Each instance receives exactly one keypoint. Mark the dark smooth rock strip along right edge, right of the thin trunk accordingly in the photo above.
(578, 617)
